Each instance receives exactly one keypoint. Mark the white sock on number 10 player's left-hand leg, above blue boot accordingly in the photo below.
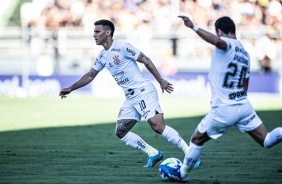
(134, 141)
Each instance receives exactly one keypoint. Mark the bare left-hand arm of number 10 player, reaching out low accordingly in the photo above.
(86, 79)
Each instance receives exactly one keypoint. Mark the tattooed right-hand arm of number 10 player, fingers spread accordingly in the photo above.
(165, 85)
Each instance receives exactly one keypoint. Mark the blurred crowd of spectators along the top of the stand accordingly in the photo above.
(128, 14)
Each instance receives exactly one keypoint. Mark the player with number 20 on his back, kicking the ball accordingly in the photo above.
(228, 77)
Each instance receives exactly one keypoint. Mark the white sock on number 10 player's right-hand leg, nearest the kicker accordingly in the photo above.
(172, 136)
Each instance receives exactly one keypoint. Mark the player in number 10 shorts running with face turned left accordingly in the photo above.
(141, 96)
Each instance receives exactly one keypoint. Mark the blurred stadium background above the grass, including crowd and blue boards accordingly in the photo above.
(46, 45)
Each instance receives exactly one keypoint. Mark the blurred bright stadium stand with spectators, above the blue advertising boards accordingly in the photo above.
(63, 30)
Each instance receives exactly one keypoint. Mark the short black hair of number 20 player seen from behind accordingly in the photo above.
(226, 25)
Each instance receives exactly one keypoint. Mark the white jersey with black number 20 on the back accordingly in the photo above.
(228, 70)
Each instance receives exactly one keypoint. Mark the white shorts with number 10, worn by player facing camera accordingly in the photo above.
(145, 105)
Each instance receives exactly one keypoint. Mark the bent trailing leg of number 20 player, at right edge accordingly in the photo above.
(266, 139)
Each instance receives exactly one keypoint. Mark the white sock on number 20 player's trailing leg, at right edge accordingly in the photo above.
(273, 137)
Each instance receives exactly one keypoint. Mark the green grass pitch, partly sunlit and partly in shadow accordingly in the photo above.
(49, 140)
